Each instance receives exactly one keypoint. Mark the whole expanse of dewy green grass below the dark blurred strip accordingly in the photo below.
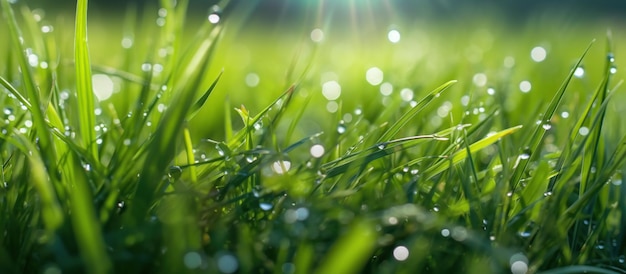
(185, 168)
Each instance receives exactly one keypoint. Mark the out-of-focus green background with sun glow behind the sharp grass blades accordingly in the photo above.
(268, 45)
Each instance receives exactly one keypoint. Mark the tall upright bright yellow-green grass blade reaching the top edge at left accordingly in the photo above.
(84, 86)
